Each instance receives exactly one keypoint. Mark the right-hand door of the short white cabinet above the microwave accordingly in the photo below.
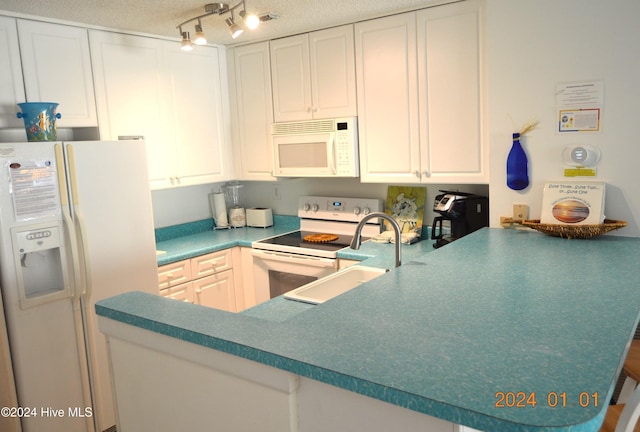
(333, 73)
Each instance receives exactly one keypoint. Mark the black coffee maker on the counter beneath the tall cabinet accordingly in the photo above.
(465, 212)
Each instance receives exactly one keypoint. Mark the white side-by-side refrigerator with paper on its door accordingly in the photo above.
(76, 226)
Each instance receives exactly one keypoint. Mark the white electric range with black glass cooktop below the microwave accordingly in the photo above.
(288, 261)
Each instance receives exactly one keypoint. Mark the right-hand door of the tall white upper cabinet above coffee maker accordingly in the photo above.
(449, 65)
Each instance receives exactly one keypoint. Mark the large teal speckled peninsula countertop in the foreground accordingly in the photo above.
(450, 331)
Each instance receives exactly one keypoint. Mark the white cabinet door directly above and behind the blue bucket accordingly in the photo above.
(57, 68)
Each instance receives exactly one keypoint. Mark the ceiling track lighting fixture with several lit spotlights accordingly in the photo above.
(250, 21)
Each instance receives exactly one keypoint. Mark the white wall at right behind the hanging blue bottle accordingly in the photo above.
(533, 46)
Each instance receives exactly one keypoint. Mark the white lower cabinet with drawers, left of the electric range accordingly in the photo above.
(208, 280)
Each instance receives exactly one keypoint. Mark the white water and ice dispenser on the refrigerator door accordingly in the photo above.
(40, 265)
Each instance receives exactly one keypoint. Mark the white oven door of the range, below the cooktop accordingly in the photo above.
(278, 272)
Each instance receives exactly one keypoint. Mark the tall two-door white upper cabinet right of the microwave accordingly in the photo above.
(420, 95)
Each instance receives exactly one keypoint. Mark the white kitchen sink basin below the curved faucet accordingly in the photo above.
(333, 285)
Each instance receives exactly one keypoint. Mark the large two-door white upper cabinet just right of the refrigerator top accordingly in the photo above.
(148, 87)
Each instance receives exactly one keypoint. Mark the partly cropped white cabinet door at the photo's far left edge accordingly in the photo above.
(11, 84)
